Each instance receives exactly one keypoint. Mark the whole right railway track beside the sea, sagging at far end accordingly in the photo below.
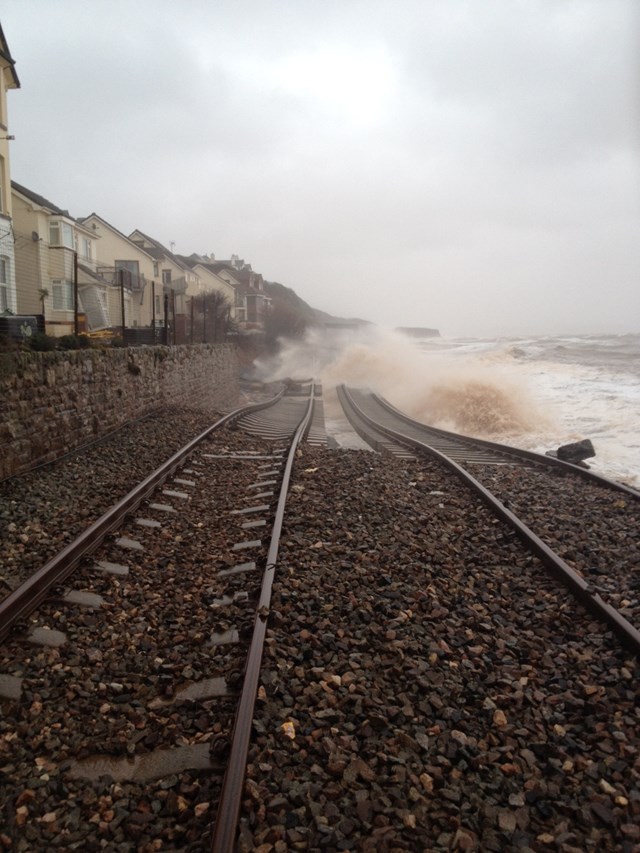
(497, 474)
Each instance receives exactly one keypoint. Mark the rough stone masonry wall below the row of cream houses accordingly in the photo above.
(52, 402)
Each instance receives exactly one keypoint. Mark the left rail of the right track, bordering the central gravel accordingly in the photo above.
(577, 585)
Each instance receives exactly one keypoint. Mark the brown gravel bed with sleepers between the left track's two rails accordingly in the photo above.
(112, 743)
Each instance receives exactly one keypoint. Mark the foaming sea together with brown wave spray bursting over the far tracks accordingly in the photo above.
(536, 393)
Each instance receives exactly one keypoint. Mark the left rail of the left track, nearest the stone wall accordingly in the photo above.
(26, 597)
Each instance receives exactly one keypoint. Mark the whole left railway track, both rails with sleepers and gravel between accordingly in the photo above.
(125, 660)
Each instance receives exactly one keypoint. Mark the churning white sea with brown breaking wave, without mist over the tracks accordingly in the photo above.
(539, 393)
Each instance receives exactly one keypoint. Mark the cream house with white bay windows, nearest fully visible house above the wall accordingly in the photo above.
(52, 250)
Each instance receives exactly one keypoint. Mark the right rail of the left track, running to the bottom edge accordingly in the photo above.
(225, 828)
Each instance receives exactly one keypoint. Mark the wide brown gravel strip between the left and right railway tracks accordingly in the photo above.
(426, 686)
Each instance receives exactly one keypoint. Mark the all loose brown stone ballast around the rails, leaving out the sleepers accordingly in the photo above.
(426, 685)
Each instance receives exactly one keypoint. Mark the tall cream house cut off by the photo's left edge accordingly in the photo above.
(8, 80)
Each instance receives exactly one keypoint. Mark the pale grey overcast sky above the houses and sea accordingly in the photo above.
(470, 166)
